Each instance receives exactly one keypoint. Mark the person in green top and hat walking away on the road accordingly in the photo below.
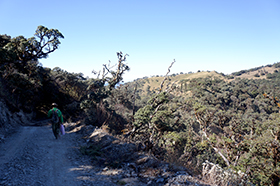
(56, 119)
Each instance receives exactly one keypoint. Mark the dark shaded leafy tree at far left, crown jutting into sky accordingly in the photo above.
(21, 73)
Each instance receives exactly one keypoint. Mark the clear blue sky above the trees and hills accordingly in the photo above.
(222, 35)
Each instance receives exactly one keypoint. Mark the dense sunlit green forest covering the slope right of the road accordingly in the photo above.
(231, 123)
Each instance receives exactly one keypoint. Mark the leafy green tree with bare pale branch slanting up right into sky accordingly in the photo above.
(152, 120)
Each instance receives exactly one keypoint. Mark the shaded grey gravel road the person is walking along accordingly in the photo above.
(32, 156)
